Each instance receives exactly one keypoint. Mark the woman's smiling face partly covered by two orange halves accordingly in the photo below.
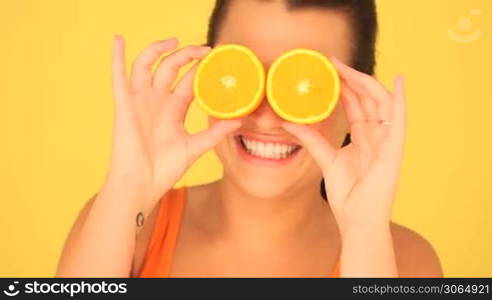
(269, 28)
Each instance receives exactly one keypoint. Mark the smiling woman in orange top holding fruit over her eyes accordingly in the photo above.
(266, 216)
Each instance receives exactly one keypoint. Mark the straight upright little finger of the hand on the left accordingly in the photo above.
(120, 84)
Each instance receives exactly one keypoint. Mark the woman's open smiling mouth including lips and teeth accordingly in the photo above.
(267, 150)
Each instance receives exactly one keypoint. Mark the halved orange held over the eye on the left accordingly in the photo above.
(229, 82)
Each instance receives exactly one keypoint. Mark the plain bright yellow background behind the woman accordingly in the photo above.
(56, 116)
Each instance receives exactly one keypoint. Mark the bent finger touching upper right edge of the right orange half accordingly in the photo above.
(368, 88)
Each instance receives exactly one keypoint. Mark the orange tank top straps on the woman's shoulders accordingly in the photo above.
(160, 250)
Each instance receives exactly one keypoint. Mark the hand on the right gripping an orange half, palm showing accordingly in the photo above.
(361, 178)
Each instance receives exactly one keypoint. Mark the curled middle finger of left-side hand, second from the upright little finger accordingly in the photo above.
(168, 68)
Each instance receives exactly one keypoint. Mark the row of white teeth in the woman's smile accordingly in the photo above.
(268, 150)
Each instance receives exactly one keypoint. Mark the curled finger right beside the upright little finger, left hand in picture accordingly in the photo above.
(141, 77)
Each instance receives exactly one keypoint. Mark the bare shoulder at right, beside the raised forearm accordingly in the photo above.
(415, 256)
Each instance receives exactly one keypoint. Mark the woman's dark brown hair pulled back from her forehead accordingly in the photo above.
(363, 18)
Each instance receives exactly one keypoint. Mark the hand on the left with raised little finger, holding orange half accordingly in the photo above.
(151, 149)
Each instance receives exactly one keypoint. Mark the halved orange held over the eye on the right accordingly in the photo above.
(303, 86)
